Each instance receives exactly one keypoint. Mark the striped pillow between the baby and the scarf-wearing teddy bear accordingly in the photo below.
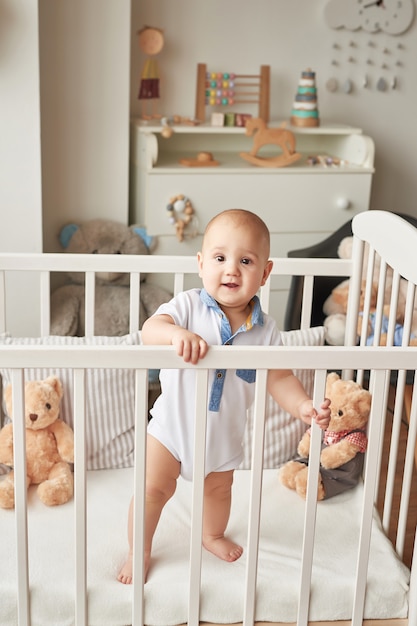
(282, 431)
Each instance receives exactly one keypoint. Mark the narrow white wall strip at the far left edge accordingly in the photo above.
(20, 150)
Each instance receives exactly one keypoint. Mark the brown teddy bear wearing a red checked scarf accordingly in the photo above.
(344, 442)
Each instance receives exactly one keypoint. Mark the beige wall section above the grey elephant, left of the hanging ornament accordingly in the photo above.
(85, 75)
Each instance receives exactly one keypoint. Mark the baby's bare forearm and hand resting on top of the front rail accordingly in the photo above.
(162, 330)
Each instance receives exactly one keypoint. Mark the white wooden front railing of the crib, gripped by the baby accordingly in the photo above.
(140, 358)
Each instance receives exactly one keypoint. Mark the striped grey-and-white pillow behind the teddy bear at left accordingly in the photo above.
(109, 400)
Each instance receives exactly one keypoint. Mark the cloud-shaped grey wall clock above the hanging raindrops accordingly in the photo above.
(389, 16)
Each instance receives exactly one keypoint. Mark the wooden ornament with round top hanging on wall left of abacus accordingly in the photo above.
(151, 42)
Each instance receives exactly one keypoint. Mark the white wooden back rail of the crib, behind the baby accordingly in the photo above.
(44, 266)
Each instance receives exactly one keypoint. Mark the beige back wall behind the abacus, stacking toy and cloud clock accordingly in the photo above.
(291, 36)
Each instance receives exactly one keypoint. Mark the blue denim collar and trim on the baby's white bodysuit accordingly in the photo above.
(255, 317)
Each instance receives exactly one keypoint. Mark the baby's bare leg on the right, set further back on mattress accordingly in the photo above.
(217, 502)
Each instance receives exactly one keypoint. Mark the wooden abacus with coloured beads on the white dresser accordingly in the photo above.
(247, 89)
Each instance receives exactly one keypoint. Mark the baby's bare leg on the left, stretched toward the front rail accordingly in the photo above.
(162, 471)
